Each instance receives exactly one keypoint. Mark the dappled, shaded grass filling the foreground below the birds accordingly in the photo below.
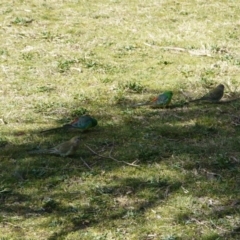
(183, 167)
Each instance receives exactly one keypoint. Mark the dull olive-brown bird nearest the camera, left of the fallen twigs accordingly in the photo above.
(64, 149)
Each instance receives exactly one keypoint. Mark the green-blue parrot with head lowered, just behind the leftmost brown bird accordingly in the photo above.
(83, 123)
